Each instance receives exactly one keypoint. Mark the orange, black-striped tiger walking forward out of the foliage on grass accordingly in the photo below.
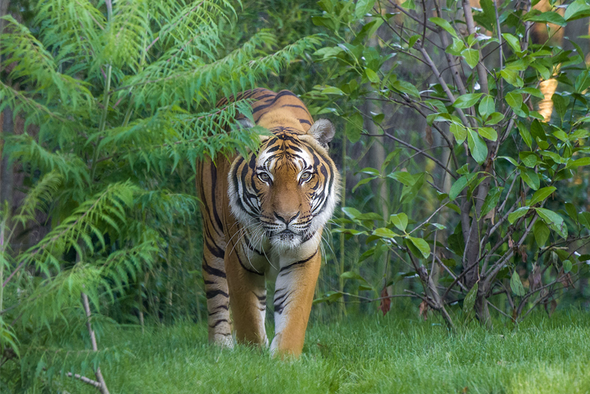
(263, 217)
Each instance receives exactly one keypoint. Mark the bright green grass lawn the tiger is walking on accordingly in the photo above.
(371, 355)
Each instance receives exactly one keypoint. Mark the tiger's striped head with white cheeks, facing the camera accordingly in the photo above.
(287, 190)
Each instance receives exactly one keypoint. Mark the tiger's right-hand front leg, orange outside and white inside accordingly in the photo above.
(295, 286)
